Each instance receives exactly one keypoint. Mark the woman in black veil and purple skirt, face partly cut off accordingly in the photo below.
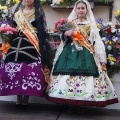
(23, 71)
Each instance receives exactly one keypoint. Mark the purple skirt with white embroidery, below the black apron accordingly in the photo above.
(22, 79)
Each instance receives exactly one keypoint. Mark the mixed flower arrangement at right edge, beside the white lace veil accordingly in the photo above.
(110, 35)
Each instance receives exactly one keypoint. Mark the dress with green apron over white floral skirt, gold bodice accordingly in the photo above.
(77, 79)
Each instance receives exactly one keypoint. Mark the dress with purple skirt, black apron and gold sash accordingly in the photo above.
(22, 71)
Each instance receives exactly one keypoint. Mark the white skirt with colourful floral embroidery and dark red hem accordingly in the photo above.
(82, 90)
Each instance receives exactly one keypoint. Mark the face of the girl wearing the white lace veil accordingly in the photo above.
(81, 10)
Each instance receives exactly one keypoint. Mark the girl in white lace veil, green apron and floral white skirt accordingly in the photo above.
(79, 72)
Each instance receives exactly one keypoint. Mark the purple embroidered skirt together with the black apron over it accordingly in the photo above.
(22, 71)
